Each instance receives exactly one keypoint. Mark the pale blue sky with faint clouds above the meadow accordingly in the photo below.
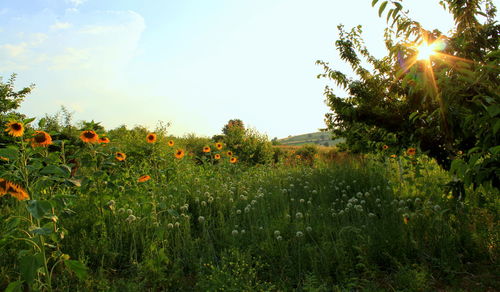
(195, 64)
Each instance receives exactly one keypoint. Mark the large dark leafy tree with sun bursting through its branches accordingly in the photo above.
(448, 105)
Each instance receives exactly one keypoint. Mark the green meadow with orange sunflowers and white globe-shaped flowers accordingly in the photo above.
(139, 211)
